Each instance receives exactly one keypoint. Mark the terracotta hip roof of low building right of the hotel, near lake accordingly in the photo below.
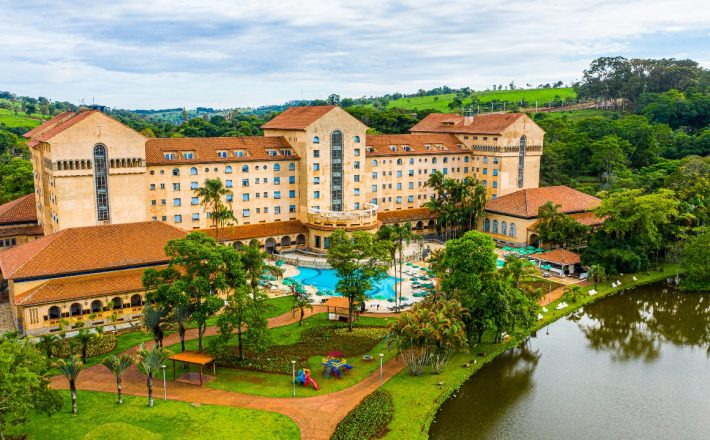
(526, 202)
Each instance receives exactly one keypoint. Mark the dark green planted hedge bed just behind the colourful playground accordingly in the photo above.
(316, 341)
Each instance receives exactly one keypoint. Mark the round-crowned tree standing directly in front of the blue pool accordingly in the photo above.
(359, 260)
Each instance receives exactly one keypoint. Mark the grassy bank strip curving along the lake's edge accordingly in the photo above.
(416, 399)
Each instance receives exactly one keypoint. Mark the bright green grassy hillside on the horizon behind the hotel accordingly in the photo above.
(441, 102)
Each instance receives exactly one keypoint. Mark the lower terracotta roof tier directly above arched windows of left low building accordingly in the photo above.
(83, 286)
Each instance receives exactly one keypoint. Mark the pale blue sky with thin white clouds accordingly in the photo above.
(224, 54)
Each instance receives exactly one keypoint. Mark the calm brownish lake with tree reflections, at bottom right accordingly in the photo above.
(632, 366)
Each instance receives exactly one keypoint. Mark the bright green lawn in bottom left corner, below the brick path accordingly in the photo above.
(99, 417)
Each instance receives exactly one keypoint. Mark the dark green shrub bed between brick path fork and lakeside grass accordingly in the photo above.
(367, 420)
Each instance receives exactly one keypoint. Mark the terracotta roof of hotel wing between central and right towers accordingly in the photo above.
(382, 144)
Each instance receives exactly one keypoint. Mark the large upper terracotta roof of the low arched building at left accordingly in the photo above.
(91, 248)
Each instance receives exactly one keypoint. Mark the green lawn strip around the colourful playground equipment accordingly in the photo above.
(279, 385)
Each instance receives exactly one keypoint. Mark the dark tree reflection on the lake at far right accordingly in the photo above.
(634, 325)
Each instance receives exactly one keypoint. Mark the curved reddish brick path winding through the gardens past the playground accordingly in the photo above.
(317, 416)
